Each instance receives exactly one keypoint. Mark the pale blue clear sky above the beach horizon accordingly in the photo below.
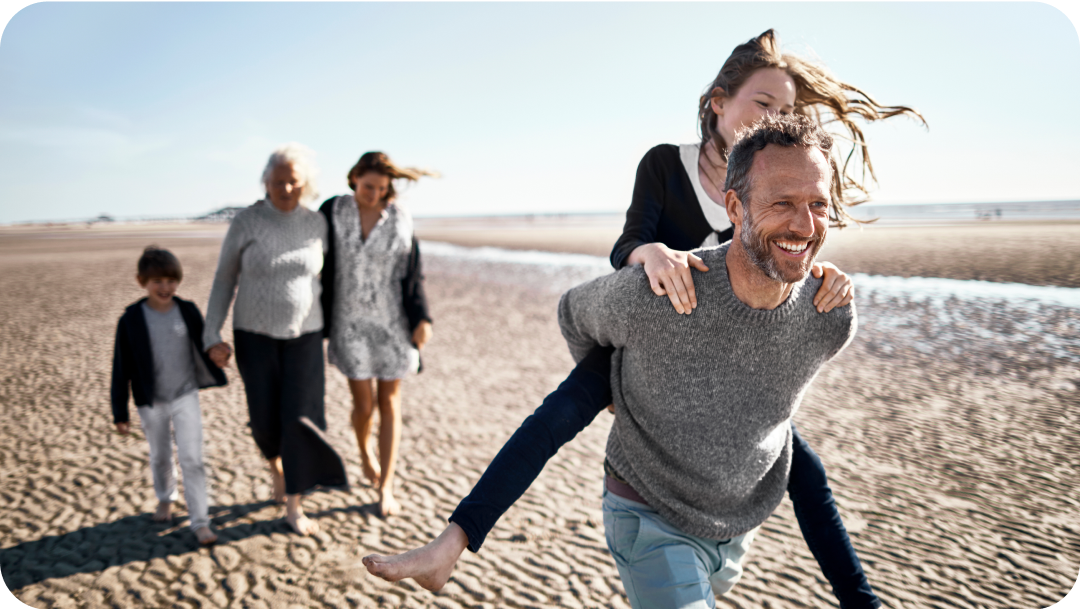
(154, 110)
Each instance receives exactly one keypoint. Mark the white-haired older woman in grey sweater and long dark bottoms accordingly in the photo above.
(272, 258)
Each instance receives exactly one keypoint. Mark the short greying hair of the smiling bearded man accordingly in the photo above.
(781, 130)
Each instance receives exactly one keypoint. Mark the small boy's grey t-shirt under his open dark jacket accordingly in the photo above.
(174, 368)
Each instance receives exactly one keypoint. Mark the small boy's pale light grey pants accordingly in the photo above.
(184, 417)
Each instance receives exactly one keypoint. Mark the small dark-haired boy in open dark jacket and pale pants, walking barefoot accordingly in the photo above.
(159, 354)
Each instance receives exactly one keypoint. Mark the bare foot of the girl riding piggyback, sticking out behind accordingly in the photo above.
(430, 566)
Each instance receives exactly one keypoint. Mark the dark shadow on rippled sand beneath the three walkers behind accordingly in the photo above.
(136, 539)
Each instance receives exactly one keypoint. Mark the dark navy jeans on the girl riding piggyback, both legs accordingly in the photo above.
(573, 408)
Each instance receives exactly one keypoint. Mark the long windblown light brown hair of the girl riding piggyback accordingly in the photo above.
(819, 96)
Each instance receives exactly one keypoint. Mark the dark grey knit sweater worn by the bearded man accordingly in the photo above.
(704, 402)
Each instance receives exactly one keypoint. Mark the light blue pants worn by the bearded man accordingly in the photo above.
(664, 567)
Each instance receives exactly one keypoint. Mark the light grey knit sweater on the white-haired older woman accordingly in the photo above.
(276, 260)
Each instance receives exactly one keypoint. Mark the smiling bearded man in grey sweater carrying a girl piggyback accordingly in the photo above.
(700, 451)
